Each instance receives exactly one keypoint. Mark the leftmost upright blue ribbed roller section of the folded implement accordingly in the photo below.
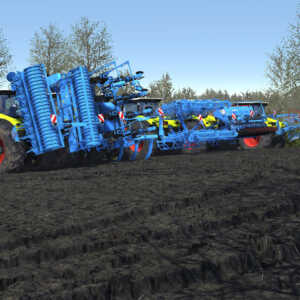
(36, 106)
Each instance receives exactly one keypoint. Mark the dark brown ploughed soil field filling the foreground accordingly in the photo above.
(210, 225)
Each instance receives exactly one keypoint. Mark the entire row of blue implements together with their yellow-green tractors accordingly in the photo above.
(104, 111)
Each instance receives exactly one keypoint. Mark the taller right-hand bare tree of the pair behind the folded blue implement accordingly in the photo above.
(91, 44)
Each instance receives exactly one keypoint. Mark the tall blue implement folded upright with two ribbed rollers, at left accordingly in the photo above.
(80, 111)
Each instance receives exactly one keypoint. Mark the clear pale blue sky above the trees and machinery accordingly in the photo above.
(220, 44)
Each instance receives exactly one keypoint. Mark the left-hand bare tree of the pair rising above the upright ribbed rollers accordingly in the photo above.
(51, 48)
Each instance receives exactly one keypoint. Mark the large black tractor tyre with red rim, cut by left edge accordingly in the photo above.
(12, 154)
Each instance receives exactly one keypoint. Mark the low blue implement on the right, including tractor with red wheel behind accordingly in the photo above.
(212, 122)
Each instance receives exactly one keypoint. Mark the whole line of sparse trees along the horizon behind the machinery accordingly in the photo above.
(89, 43)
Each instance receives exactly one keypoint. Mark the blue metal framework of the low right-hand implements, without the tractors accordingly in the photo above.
(232, 120)
